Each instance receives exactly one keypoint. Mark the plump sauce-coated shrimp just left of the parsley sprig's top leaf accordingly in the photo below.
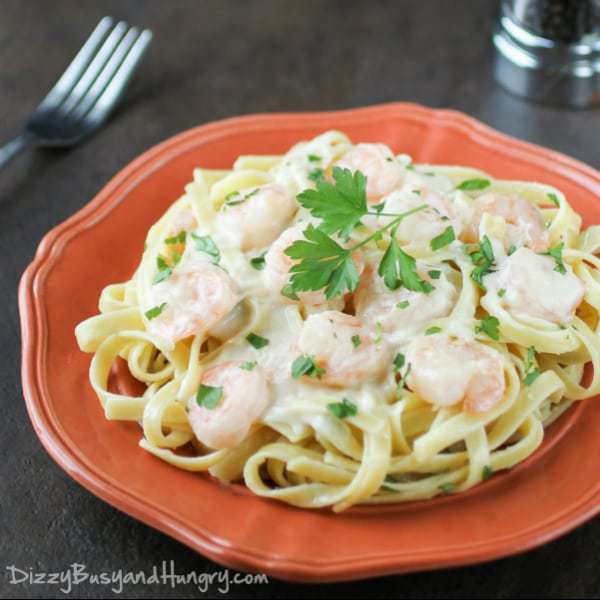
(259, 217)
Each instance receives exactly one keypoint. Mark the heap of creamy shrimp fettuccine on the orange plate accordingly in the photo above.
(453, 370)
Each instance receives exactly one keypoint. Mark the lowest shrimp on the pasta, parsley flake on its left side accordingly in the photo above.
(244, 397)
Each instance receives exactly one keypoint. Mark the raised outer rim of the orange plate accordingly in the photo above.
(33, 328)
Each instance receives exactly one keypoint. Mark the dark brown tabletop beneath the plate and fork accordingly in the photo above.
(212, 59)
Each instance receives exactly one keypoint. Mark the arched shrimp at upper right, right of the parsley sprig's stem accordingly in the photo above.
(525, 225)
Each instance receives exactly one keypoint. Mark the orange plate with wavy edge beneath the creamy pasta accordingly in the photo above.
(554, 491)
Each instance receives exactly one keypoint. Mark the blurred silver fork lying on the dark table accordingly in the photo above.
(85, 95)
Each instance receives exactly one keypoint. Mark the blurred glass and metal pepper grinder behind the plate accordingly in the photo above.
(548, 51)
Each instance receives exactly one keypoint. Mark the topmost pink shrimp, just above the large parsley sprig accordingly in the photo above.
(377, 162)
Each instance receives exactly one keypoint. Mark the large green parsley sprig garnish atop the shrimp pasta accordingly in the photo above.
(323, 263)
